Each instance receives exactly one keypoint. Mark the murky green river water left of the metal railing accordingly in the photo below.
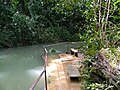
(20, 67)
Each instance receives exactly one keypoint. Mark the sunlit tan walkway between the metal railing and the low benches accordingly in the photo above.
(57, 75)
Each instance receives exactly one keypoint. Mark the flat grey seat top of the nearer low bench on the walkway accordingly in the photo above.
(73, 71)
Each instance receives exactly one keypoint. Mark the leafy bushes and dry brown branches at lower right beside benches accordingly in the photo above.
(102, 72)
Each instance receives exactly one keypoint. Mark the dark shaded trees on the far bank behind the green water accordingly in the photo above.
(25, 22)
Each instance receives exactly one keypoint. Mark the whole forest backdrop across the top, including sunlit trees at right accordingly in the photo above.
(29, 22)
